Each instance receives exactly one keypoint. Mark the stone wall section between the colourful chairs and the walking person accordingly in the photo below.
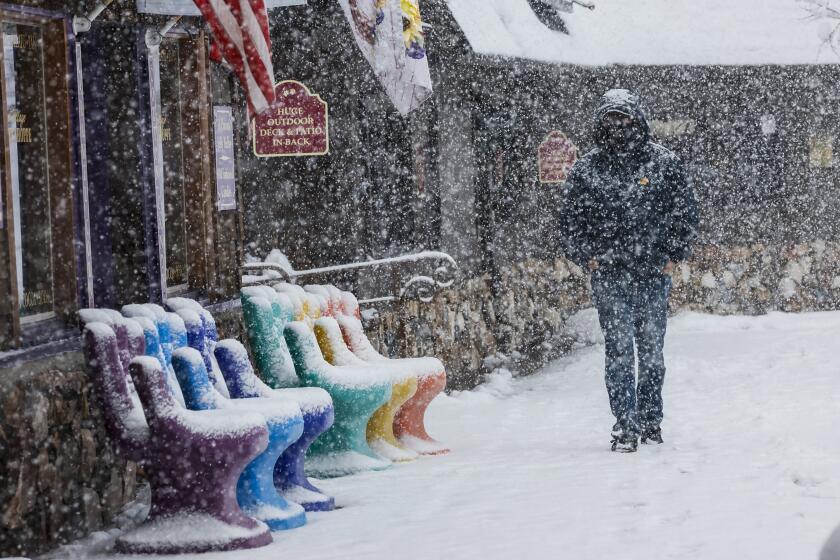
(473, 332)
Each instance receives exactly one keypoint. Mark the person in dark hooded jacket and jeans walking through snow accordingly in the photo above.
(629, 215)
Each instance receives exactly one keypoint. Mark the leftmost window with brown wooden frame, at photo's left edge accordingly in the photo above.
(37, 256)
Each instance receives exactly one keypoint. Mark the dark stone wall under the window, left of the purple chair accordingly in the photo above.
(59, 477)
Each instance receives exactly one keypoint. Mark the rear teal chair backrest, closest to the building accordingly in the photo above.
(263, 321)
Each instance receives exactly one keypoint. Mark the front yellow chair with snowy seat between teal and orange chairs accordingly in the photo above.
(380, 432)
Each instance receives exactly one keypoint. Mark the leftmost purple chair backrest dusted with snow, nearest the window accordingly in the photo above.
(122, 411)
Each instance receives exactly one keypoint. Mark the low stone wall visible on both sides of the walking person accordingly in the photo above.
(525, 324)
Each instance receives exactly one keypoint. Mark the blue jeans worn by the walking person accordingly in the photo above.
(633, 309)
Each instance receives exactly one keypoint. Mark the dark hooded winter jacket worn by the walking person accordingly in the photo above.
(631, 212)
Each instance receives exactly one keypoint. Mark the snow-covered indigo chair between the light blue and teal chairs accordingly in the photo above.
(236, 379)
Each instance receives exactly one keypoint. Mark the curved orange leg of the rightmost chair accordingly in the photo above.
(409, 423)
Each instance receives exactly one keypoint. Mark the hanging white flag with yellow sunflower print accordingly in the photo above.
(390, 36)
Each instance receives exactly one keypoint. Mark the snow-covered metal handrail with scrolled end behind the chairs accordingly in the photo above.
(422, 287)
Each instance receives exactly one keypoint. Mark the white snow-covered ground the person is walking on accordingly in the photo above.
(750, 468)
